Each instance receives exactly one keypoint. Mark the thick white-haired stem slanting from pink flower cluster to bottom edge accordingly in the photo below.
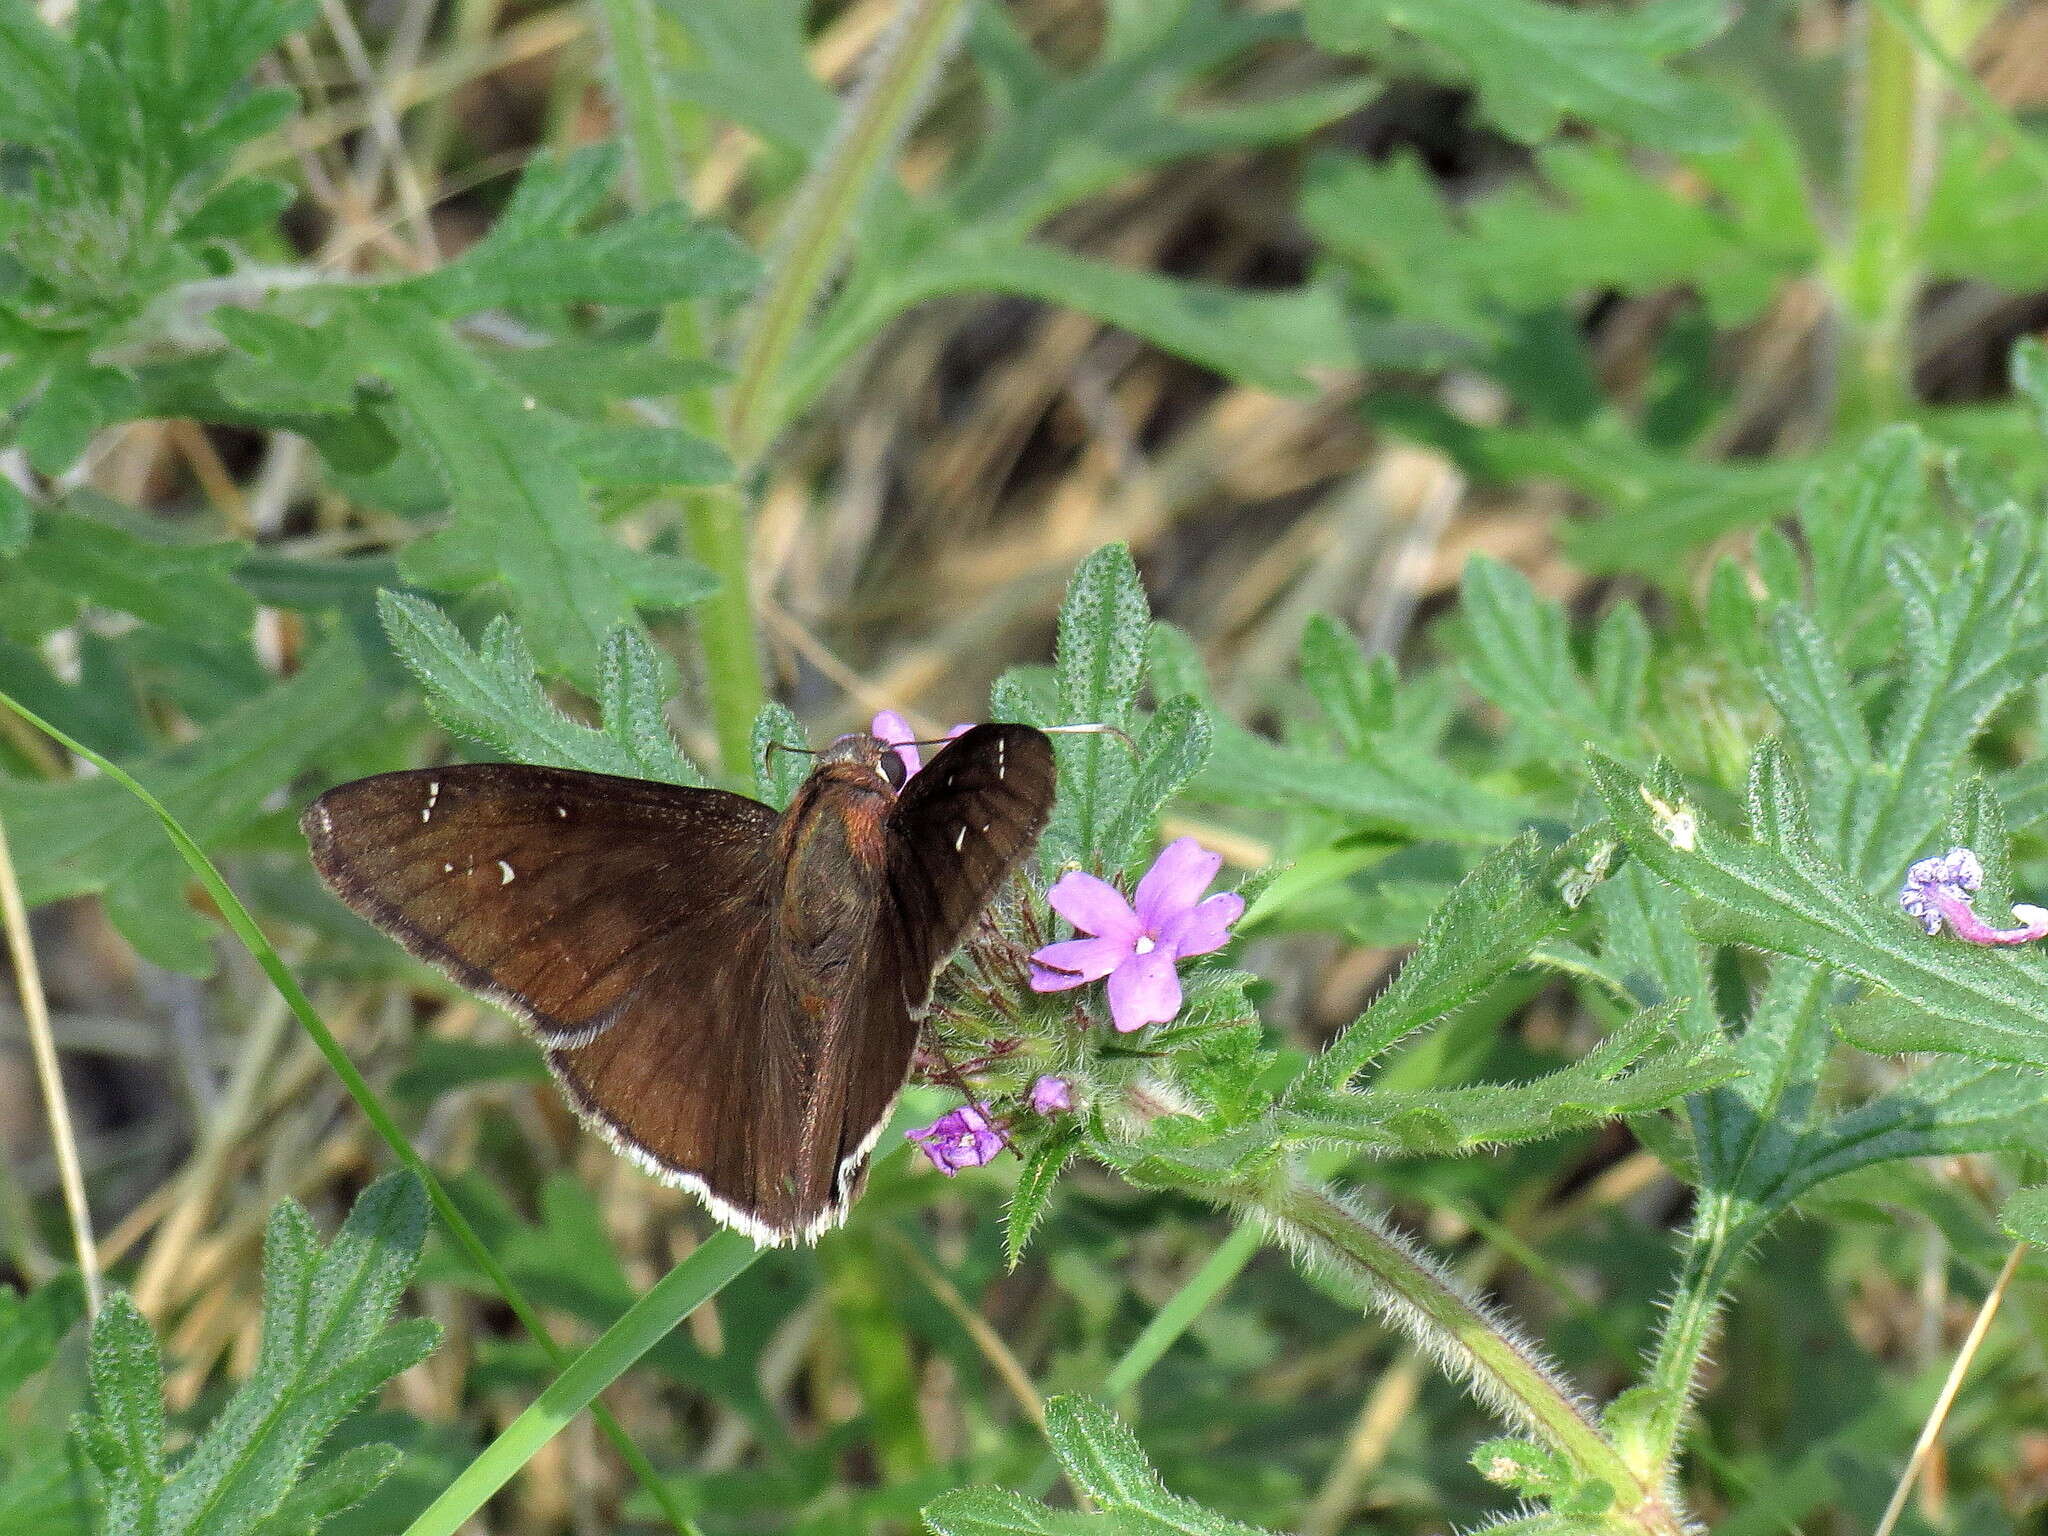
(1465, 1336)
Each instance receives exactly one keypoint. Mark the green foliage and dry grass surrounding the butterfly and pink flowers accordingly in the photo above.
(1553, 493)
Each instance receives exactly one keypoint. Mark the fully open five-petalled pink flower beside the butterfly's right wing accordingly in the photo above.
(1136, 945)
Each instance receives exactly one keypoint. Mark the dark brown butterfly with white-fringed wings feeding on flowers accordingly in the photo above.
(726, 994)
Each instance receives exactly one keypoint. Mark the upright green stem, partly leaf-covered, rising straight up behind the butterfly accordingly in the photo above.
(714, 519)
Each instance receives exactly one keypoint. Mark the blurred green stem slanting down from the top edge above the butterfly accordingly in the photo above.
(828, 206)
